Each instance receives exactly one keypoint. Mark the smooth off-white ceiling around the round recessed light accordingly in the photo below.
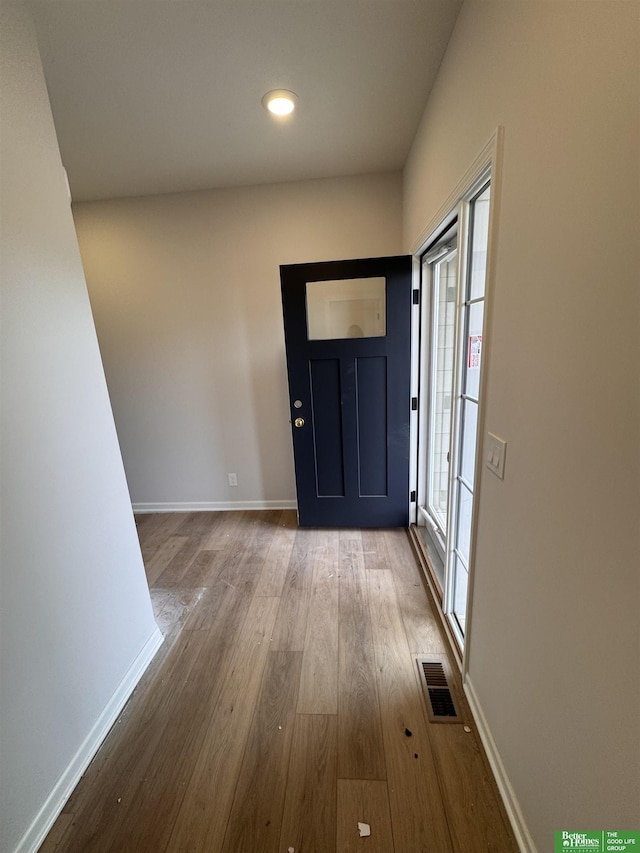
(155, 96)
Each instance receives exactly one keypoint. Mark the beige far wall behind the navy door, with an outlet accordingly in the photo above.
(185, 290)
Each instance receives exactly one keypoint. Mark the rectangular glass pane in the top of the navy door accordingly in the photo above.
(346, 308)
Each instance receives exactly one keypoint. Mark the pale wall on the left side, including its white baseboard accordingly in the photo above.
(75, 612)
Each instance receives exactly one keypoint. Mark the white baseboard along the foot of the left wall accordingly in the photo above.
(46, 817)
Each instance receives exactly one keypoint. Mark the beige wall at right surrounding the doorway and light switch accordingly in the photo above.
(554, 648)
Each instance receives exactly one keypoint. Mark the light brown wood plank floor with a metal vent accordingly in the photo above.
(275, 715)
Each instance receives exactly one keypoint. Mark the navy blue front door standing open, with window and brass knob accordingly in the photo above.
(347, 332)
